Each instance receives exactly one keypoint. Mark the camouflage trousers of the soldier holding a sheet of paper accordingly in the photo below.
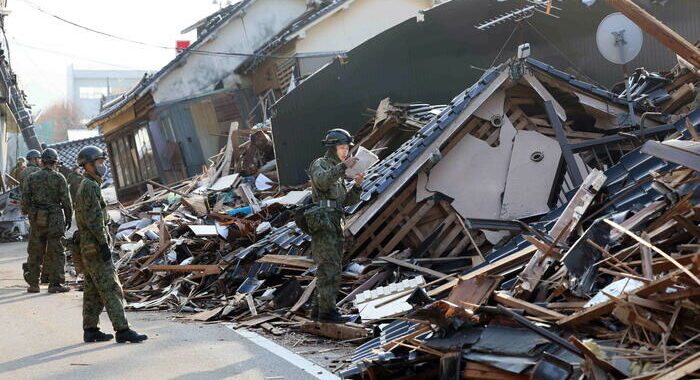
(327, 249)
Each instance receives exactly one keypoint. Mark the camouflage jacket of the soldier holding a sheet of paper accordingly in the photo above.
(327, 181)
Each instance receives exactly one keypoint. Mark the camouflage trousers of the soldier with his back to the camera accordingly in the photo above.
(44, 254)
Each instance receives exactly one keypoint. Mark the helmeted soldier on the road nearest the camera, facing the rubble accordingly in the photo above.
(102, 289)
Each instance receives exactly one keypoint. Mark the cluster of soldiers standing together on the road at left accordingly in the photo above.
(49, 202)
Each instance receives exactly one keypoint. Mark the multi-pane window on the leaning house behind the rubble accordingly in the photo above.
(134, 160)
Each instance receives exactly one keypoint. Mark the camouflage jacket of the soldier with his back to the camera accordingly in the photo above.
(46, 189)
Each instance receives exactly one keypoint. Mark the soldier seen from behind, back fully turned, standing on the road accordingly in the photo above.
(46, 200)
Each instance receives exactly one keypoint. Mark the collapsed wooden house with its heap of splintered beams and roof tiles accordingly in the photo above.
(511, 214)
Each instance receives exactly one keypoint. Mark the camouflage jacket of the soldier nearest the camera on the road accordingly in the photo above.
(91, 210)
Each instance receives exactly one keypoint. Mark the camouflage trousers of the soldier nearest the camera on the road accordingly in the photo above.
(102, 289)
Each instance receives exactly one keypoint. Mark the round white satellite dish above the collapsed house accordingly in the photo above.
(619, 39)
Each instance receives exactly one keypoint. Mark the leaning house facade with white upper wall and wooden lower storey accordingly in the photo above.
(170, 123)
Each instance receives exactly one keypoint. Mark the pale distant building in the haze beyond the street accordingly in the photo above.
(86, 88)
